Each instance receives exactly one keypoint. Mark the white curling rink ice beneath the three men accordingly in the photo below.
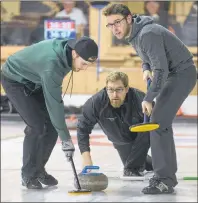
(103, 155)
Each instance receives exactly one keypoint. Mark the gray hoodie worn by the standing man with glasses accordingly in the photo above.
(160, 49)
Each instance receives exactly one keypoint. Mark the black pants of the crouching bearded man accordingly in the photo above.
(134, 155)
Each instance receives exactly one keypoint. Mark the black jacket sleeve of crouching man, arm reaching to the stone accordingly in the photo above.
(86, 124)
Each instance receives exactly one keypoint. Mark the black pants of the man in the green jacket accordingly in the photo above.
(40, 135)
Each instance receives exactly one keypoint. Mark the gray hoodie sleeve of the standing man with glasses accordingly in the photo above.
(153, 46)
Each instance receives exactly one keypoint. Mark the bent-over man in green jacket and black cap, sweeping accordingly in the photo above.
(32, 79)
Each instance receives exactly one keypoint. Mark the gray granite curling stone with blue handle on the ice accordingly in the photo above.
(93, 181)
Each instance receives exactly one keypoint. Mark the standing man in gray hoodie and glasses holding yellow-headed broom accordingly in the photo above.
(174, 76)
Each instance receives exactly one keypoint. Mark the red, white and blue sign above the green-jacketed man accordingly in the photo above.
(59, 28)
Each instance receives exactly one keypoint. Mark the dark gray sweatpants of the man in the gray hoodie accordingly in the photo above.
(176, 89)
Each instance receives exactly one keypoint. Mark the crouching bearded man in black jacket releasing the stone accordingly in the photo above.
(115, 108)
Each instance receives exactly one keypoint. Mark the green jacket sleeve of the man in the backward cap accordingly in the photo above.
(52, 90)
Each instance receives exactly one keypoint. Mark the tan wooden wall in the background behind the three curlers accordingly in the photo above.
(111, 57)
